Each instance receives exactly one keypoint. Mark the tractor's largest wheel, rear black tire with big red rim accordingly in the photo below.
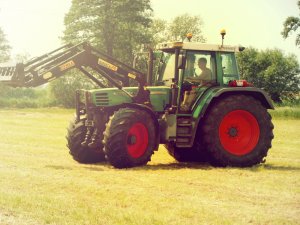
(237, 131)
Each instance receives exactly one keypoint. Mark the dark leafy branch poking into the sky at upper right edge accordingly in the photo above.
(291, 24)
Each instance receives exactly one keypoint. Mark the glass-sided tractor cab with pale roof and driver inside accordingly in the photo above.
(192, 68)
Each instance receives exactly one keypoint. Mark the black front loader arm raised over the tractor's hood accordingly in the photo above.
(55, 64)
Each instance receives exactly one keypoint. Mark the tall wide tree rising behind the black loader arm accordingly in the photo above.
(117, 27)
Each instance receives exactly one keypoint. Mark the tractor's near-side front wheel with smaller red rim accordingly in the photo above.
(129, 138)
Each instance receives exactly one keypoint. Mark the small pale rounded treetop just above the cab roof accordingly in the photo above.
(183, 24)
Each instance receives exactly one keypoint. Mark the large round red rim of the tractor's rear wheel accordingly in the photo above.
(239, 132)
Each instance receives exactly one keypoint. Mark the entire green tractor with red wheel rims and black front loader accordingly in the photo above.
(194, 104)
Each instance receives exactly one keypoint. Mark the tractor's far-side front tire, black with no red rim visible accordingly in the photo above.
(82, 154)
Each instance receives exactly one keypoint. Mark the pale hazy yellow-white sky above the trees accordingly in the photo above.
(34, 27)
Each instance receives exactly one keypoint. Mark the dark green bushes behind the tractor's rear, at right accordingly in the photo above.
(271, 70)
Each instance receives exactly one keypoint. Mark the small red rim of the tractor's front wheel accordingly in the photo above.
(137, 140)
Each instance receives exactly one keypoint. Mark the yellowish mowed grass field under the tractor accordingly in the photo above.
(41, 184)
